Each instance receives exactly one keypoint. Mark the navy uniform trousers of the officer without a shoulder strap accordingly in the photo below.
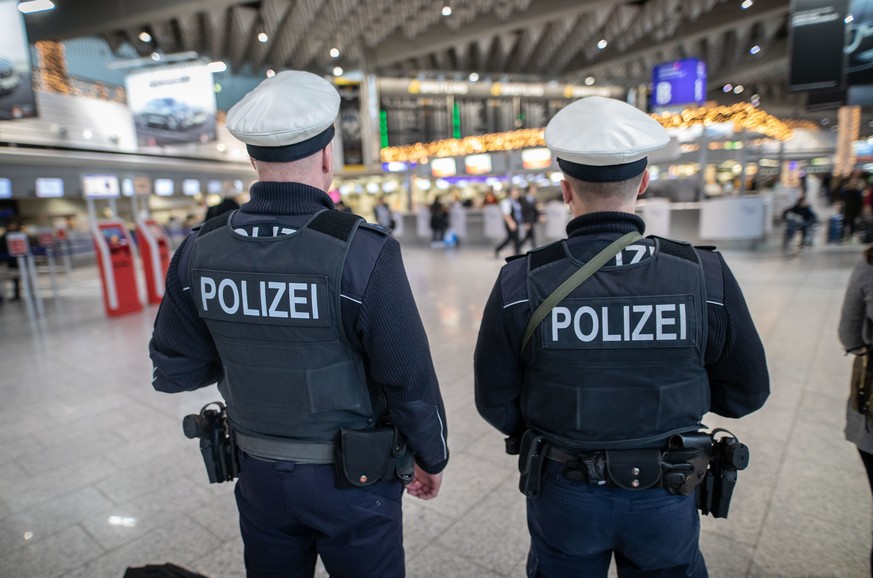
(289, 513)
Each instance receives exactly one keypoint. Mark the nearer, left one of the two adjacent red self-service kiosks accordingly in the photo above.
(115, 257)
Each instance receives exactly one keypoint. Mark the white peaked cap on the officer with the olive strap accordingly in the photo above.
(599, 139)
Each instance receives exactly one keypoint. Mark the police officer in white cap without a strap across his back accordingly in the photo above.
(305, 318)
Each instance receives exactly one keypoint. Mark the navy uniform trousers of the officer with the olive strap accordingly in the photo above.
(576, 527)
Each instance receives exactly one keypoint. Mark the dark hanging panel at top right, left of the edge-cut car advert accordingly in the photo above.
(817, 34)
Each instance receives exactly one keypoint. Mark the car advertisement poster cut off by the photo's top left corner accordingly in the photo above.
(16, 85)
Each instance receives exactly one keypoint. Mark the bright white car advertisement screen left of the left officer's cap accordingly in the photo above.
(172, 105)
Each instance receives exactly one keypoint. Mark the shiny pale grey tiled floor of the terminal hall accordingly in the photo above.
(96, 475)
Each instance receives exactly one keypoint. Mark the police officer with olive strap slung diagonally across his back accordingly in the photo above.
(598, 373)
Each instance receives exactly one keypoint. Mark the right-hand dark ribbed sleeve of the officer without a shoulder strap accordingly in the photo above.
(392, 336)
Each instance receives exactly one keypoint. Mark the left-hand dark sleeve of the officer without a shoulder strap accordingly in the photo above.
(182, 351)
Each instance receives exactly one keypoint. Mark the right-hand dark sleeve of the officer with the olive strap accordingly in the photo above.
(735, 360)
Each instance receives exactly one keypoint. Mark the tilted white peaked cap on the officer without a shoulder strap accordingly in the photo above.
(287, 117)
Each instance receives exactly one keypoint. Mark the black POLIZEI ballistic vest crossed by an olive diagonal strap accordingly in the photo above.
(619, 362)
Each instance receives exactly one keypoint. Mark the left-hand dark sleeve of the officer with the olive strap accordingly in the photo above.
(497, 369)
